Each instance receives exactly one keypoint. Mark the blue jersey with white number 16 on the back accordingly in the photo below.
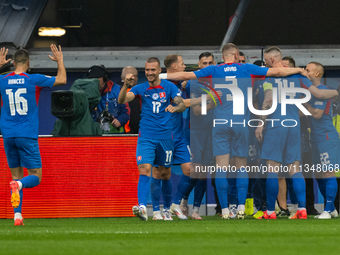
(19, 105)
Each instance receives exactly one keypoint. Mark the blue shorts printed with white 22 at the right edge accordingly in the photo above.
(325, 155)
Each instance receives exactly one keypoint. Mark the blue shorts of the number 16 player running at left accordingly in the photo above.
(21, 151)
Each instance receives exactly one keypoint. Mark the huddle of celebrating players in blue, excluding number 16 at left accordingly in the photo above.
(280, 144)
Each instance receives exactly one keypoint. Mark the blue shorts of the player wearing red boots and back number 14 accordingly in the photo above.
(282, 144)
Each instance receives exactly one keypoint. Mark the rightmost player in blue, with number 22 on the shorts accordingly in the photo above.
(325, 143)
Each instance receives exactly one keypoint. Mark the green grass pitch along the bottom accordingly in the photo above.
(212, 235)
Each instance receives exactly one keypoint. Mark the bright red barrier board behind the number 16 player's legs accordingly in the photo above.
(82, 177)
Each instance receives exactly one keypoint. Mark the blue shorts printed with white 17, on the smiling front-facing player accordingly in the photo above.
(155, 152)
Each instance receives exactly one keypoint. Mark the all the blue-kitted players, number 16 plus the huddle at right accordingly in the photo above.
(222, 130)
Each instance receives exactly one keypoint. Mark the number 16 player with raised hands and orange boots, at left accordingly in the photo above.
(19, 122)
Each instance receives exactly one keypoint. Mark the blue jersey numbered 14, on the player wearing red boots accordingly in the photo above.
(292, 112)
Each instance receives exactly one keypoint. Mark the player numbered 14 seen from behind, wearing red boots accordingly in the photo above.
(281, 143)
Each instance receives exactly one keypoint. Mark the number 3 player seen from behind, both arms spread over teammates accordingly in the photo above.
(228, 138)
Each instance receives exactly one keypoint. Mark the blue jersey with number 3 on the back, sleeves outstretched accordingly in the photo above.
(237, 77)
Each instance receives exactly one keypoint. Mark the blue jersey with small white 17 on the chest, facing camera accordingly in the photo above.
(155, 122)
